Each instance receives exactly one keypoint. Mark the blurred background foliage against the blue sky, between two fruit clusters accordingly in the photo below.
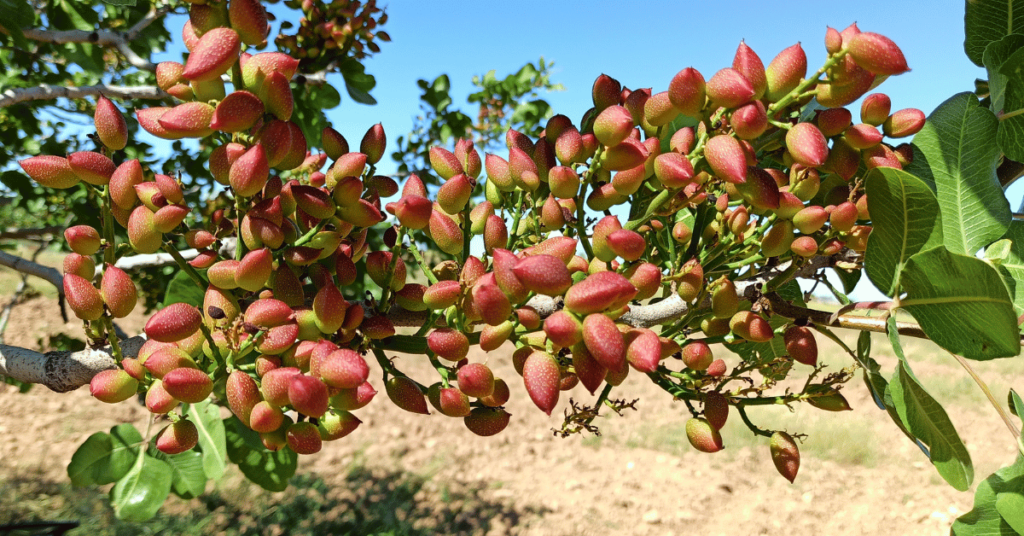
(514, 102)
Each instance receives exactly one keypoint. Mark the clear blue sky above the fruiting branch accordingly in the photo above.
(643, 45)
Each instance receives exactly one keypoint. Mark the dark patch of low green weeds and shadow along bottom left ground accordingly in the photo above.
(358, 501)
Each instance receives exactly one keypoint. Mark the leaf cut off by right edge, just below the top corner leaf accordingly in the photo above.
(1005, 62)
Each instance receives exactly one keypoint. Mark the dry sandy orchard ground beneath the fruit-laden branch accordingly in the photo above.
(430, 475)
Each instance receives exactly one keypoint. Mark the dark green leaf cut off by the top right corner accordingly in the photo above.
(988, 21)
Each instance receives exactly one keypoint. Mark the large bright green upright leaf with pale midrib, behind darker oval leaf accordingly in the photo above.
(959, 145)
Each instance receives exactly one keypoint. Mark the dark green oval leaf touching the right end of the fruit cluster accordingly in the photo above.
(906, 221)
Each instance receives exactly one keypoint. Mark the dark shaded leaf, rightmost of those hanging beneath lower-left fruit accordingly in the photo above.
(271, 471)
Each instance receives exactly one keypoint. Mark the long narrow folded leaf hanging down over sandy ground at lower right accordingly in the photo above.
(926, 421)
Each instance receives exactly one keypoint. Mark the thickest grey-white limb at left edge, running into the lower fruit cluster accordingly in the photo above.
(62, 372)
